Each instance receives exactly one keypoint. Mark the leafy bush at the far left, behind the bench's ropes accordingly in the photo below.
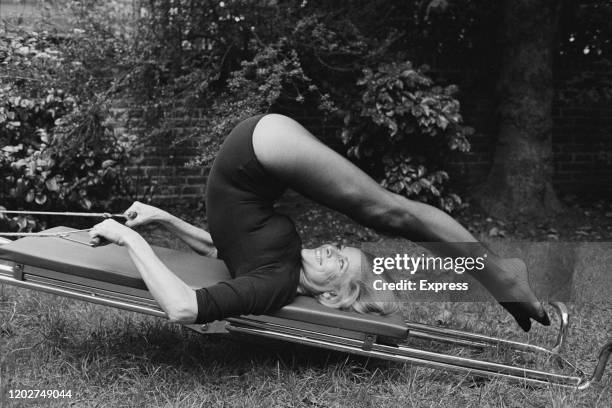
(58, 151)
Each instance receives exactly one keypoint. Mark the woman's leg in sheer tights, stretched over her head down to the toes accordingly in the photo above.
(292, 154)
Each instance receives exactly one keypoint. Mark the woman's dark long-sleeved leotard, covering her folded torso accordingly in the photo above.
(260, 247)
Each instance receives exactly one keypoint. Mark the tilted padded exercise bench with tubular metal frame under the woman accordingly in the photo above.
(106, 275)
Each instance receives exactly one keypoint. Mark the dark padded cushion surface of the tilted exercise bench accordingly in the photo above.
(112, 264)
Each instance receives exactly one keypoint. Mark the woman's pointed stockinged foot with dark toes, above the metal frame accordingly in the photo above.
(510, 285)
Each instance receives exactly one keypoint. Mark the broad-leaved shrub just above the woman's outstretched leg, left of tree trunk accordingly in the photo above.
(412, 125)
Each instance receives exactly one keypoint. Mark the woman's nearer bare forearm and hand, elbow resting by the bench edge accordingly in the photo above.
(173, 295)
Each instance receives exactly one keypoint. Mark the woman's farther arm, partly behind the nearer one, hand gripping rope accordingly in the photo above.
(198, 239)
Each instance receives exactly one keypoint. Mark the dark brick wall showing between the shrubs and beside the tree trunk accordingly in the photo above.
(582, 146)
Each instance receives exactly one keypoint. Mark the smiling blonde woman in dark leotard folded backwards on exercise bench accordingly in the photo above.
(260, 158)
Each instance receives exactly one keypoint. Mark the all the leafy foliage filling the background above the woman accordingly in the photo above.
(208, 66)
